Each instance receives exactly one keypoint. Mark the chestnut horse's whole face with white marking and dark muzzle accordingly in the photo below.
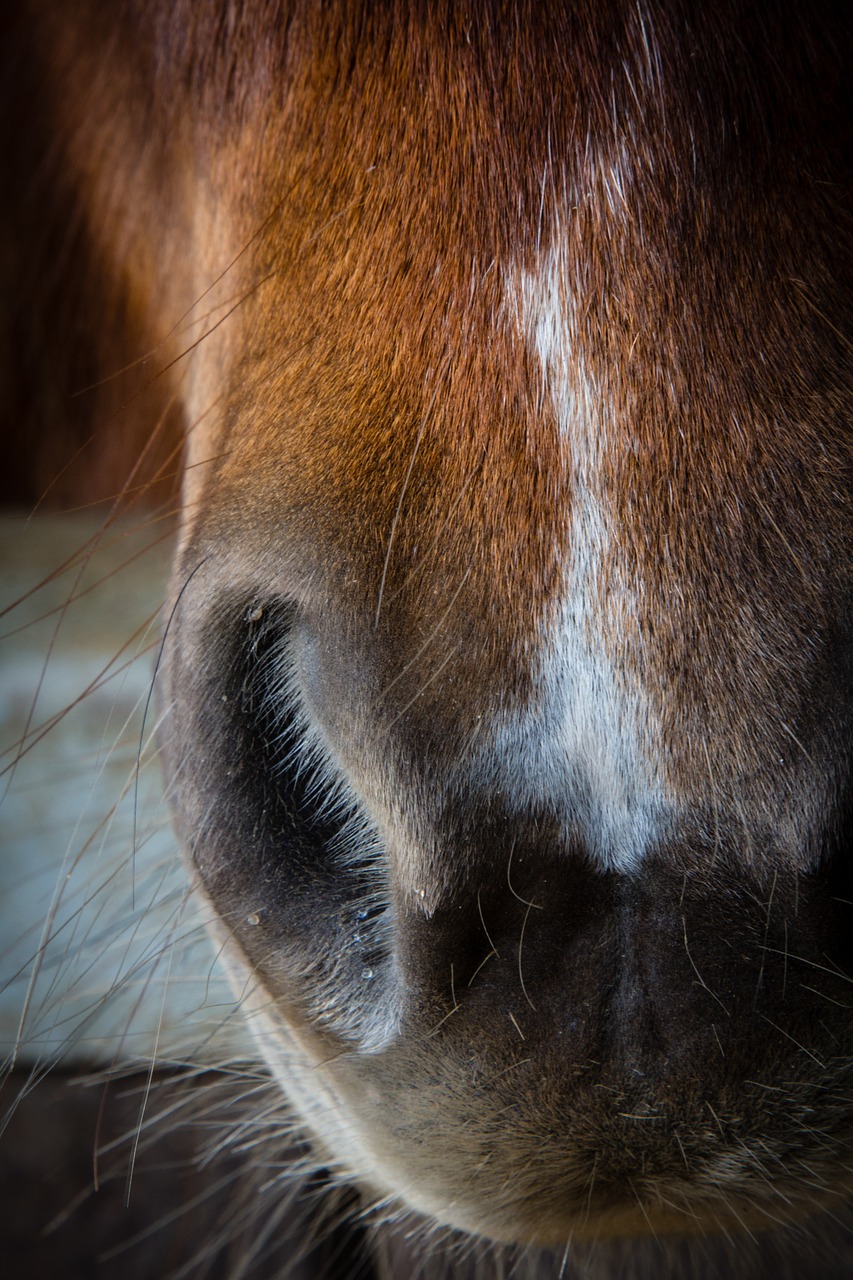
(509, 673)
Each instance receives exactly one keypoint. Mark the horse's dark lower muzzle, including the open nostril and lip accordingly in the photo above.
(603, 1053)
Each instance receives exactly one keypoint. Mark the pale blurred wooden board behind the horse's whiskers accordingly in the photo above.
(103, 956)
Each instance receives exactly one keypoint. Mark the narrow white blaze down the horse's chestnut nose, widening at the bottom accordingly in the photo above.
(587, 746)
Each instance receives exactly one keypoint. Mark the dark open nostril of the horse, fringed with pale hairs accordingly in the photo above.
(279, 835)
